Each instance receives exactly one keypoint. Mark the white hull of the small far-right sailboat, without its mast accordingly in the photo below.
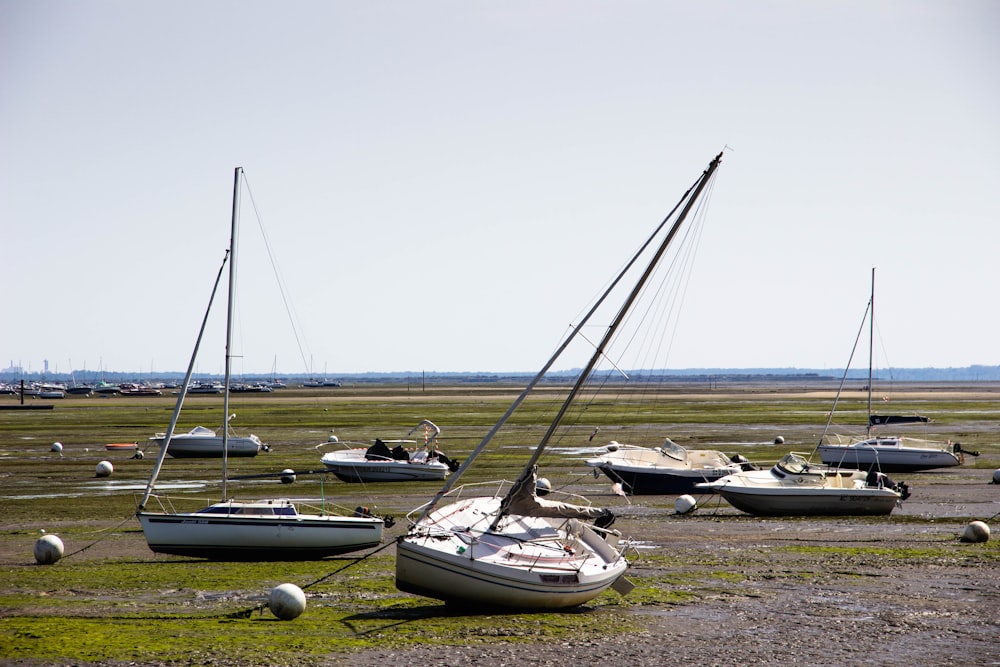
(888, 455)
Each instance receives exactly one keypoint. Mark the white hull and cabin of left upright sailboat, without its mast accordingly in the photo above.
(254, 536)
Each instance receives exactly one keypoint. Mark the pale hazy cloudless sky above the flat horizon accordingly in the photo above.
(444, 184)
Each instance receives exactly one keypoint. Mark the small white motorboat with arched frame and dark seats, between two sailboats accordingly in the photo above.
(380, 463)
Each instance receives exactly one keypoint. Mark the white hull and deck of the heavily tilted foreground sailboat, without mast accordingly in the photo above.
(531, 563)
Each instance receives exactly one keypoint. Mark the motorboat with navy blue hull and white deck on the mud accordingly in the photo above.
(667, 470)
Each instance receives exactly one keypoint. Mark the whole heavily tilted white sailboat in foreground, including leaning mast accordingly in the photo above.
(512, 548)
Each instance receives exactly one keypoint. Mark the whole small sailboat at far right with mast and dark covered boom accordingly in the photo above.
(887, 453)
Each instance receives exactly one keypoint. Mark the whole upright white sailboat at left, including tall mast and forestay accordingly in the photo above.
(271, 529)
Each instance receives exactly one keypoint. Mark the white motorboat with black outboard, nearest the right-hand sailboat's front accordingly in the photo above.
(796, 487)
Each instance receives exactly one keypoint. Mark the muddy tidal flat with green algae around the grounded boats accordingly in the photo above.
(713, 587)
